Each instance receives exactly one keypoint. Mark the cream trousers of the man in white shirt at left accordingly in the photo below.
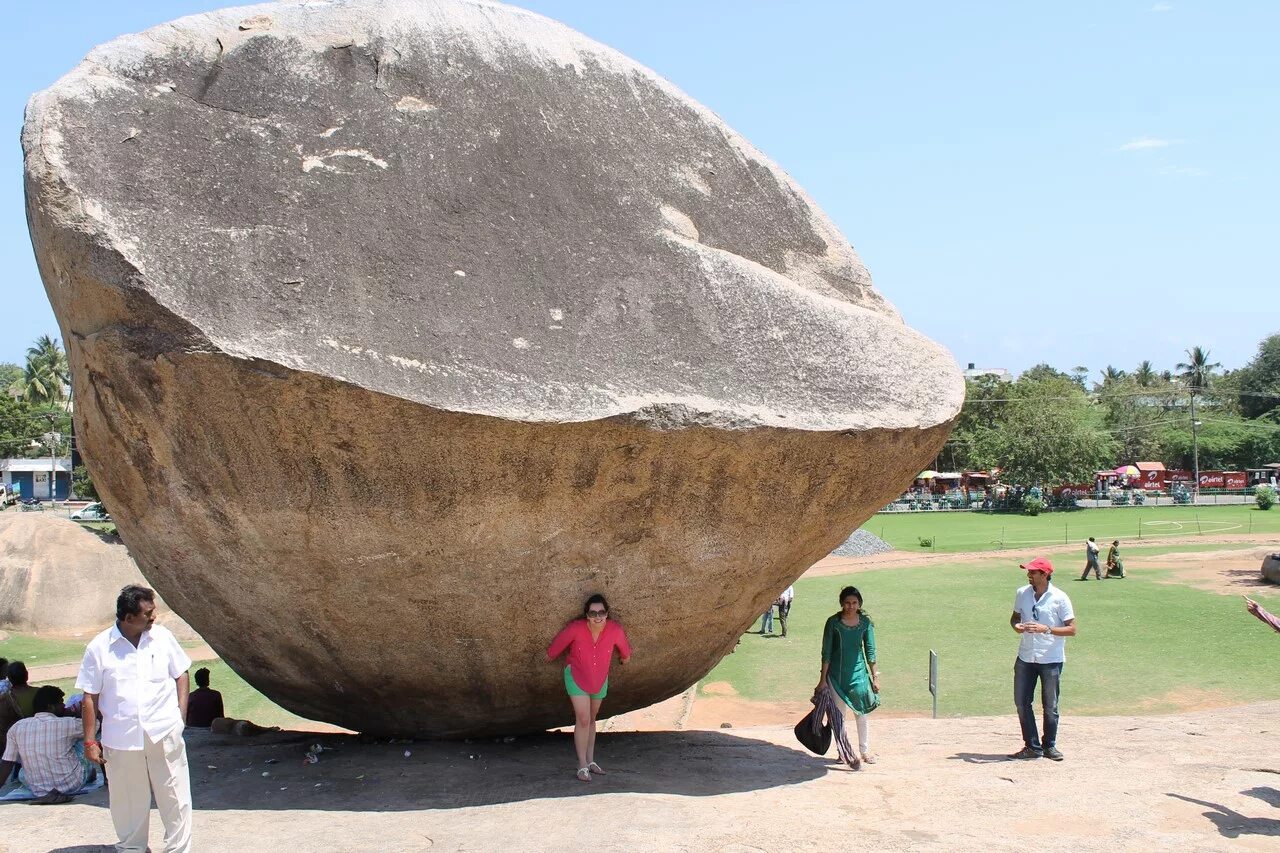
(135, 776)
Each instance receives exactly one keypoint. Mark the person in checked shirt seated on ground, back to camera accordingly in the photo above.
(44, 746)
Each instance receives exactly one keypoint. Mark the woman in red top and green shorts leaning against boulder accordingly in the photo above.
(591, 642)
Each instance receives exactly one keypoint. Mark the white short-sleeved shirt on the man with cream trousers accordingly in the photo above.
(135, 687)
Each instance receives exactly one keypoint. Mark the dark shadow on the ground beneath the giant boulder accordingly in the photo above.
(268, 773)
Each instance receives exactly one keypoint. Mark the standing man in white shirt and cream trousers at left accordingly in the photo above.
(136, 674)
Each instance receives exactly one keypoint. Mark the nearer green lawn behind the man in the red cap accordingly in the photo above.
(1141, 646)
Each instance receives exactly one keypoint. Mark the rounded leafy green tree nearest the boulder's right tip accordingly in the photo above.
(1048, 434)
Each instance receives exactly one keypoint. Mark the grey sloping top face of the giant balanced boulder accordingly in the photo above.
(470, 207)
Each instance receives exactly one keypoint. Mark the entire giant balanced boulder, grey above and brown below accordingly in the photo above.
(397, 329)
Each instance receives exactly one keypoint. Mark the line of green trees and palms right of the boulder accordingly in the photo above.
(1053, 427)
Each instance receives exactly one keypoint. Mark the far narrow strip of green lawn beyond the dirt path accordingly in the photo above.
(957, 532)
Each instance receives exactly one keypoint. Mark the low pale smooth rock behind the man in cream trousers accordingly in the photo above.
(61, 578)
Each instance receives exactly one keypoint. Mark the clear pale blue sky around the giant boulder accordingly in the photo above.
(1082, 184)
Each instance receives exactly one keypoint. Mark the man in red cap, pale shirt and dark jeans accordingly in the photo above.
(1044, 618)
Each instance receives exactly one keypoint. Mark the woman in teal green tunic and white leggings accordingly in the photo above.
(849, 663)
